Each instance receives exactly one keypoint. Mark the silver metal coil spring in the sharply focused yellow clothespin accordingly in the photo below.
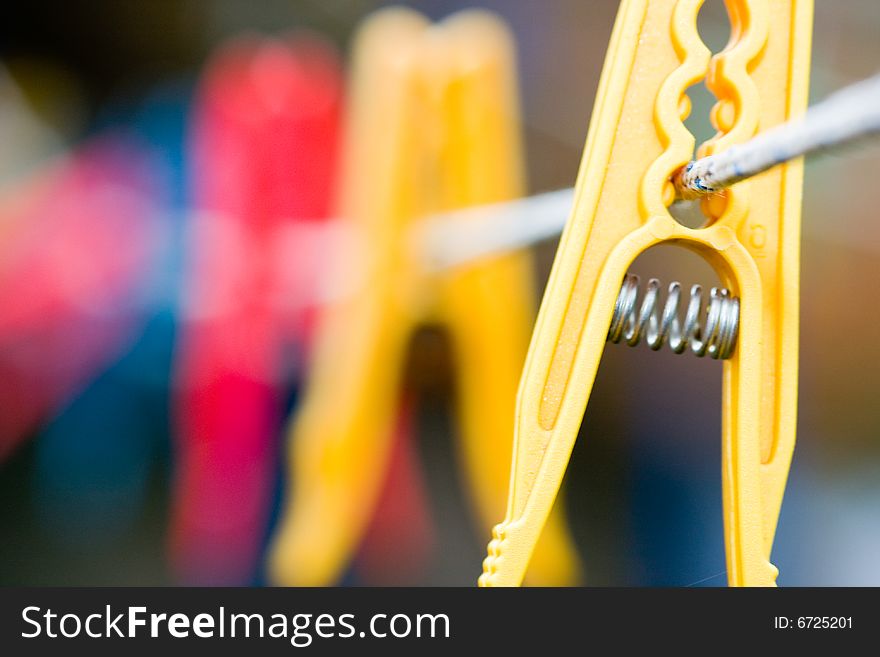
(711, 332)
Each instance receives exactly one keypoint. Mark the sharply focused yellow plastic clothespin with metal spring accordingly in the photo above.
(636, 143)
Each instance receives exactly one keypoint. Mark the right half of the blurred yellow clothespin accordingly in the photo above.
(487, 307)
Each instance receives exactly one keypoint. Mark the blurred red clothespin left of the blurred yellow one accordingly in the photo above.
(263, 159)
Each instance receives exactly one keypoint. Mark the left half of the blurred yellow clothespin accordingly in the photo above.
(340, 439)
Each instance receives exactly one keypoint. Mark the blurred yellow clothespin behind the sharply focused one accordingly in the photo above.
(433, 126)
